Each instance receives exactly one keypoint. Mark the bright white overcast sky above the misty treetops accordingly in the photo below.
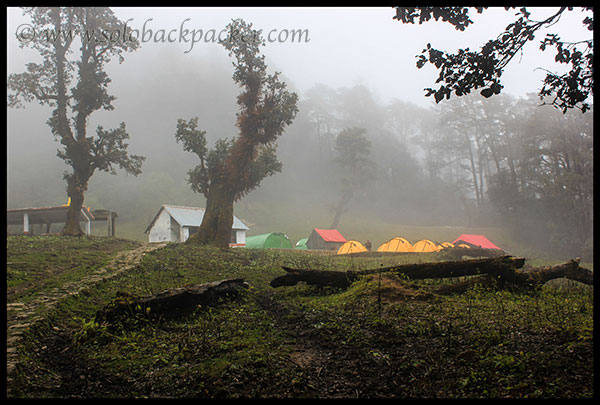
(339, 47)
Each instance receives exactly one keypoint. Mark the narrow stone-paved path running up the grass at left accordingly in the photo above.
(19, 316)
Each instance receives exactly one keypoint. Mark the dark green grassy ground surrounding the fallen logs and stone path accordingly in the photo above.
(383, 337)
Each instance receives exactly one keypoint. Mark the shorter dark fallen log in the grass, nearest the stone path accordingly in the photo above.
(174, 301)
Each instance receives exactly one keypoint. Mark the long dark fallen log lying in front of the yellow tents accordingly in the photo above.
(414, 271)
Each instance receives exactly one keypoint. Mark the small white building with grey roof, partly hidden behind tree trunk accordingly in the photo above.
(174, 223)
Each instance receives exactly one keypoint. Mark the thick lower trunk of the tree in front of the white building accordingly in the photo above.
(217, 221)
